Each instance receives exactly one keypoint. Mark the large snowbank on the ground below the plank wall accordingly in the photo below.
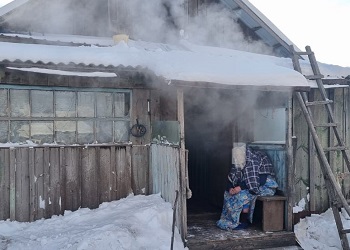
(136, 222)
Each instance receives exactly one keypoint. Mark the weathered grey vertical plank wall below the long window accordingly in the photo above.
(40, 182)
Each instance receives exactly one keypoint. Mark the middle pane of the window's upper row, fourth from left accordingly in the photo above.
(65, 104)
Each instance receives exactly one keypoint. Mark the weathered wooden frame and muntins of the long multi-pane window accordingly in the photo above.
(76, 119)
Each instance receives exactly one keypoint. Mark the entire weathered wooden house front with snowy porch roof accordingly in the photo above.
(78, 128)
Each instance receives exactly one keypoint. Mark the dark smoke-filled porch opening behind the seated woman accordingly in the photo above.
(214, 120)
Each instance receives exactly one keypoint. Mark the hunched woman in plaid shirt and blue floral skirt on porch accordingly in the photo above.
(251, 174)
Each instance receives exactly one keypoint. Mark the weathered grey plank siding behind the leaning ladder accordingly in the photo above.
(309, 181)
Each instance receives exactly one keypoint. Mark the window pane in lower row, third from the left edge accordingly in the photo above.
(42, 132)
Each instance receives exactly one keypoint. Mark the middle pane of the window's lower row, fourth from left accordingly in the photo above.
(65, 132)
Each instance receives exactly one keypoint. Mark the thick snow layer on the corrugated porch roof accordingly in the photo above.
(187, 62)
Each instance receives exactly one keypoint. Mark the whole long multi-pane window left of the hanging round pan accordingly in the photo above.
(64, 116)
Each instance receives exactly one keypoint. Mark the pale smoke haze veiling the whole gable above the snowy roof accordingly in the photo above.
(165, 21)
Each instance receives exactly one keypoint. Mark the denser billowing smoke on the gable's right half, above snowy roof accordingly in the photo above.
(167, 21)
